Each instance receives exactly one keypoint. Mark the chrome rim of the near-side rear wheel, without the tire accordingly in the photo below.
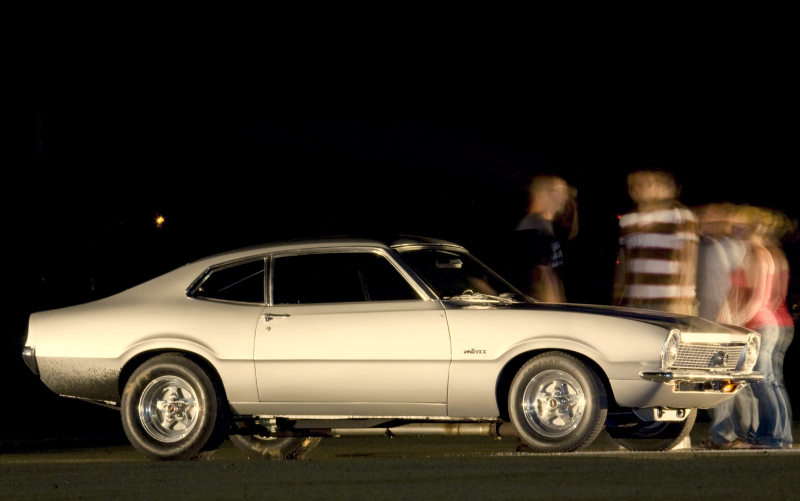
(169, 409)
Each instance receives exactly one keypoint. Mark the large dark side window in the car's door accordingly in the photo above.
(338, 278)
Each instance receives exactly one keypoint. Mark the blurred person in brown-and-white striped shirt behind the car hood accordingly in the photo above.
(657, 261)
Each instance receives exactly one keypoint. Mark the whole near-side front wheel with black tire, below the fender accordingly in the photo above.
(557, 403)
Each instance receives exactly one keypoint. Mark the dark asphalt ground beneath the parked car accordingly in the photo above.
(402, 468)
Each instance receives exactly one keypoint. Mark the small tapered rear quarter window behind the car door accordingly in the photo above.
(242, 283)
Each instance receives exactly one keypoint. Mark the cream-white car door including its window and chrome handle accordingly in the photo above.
(349, 333)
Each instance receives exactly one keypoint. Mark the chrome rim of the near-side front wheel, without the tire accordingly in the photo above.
(553, 403)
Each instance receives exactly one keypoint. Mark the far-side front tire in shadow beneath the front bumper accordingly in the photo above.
(653, 436)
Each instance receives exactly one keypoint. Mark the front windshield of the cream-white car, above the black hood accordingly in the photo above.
(454, 274)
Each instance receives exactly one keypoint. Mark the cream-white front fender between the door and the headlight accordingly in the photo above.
(484, 344)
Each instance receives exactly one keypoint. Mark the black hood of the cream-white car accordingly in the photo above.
(685, 323)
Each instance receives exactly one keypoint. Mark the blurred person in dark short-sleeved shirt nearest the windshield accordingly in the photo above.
(538, 253)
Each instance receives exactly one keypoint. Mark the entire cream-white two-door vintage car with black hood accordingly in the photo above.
(280, 345)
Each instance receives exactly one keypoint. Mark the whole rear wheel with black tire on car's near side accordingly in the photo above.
(172, 409)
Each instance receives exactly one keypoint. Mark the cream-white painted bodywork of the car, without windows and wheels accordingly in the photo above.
(427, 358)
